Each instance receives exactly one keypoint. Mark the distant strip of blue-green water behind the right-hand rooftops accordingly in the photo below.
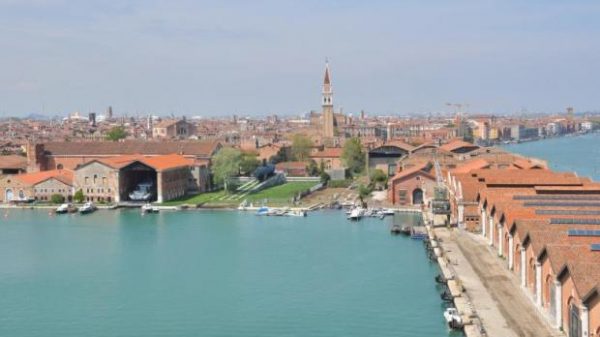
(579, 154)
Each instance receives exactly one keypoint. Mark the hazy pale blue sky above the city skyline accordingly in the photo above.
(262, 57)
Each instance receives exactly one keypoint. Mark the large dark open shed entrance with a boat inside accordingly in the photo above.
(138, 180)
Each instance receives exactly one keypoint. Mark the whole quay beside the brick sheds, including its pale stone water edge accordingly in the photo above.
(488, 298)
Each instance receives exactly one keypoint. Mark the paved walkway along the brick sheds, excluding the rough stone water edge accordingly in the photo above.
(503, 307)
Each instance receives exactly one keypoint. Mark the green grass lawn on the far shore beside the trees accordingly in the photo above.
(277, 195)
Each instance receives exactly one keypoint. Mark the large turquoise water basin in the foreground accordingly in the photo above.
(117, 273)
